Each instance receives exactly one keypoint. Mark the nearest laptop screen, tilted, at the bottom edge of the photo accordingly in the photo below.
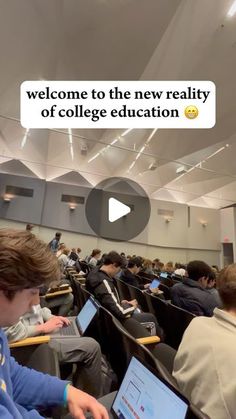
(144, 396)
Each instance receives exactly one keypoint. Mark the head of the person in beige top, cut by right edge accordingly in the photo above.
(226, 285)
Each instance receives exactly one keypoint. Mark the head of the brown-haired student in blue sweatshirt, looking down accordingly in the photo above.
(26, 263)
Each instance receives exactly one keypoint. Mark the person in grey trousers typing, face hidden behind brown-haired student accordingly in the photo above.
(83, 351)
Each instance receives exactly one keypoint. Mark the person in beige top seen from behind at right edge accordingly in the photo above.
(205, 366)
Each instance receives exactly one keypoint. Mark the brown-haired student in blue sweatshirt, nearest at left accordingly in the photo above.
(26, 263)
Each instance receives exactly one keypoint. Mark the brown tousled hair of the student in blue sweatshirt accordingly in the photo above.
(25, 262)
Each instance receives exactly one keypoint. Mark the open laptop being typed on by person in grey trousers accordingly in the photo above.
(79, 323)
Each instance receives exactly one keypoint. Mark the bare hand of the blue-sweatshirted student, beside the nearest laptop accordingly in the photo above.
(79, 403)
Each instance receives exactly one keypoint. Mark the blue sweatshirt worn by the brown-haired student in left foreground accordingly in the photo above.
(23, 390)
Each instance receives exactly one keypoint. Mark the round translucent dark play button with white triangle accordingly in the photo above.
(117, 209)
